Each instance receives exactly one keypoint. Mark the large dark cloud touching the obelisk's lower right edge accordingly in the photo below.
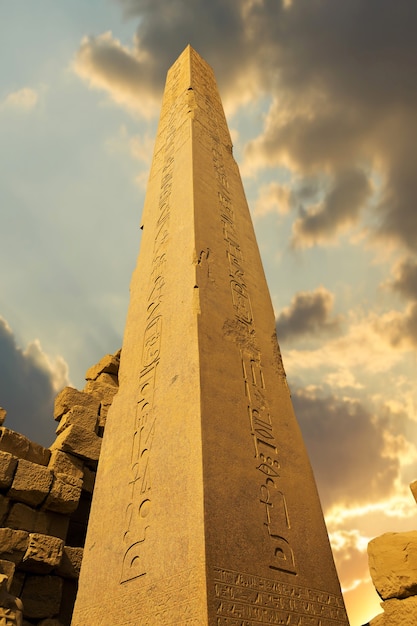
(346, 445)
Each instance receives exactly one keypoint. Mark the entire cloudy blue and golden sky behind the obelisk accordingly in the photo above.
(320, 97)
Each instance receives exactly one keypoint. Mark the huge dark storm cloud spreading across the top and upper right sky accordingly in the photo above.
(341, 76)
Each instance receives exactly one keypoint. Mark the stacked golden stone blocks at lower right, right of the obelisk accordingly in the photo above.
(393, 569)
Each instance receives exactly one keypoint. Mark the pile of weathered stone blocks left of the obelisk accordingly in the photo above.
(45, 497)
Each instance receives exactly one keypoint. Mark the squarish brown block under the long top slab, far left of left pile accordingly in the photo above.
(31, 483)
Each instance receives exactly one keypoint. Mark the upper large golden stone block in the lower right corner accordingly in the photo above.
(393, 564)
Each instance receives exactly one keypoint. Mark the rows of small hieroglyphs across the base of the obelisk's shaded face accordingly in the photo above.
(247, 600)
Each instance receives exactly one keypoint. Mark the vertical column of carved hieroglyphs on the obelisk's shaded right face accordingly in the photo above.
(265, 447)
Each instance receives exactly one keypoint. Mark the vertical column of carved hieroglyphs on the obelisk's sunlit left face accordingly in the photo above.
(139, 508)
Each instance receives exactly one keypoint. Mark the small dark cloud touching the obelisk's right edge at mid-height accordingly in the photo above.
(309, 313)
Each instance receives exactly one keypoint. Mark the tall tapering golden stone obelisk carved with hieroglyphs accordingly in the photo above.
(205, 510)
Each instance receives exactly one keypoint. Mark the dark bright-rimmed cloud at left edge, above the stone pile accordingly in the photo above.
(29, 381)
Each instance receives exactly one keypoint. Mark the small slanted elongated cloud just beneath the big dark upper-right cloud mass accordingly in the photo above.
(340, 207)
